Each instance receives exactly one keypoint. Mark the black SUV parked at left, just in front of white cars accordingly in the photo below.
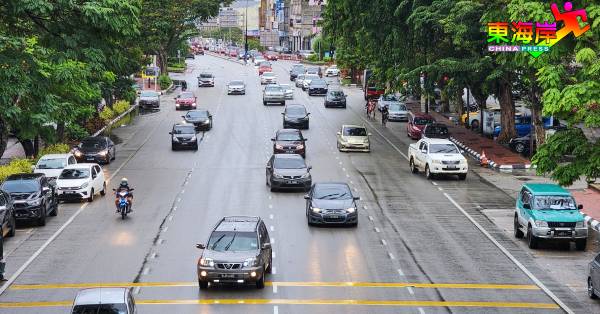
(32, 195)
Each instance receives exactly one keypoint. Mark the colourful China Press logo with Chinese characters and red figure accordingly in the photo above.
(524, 37)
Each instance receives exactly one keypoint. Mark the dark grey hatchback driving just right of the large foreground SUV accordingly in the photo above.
(331, 203)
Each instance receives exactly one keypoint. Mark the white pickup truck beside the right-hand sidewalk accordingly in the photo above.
(437, 156)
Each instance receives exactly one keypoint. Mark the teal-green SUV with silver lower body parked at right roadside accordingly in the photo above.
(547, 211)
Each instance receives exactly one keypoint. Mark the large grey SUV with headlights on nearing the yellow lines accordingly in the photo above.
(238, 251)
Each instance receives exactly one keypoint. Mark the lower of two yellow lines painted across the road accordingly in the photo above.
(399, 303)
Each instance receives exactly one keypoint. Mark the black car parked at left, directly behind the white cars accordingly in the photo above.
(99, 149)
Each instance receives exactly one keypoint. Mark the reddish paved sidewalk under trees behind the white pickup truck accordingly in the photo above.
(499, 156)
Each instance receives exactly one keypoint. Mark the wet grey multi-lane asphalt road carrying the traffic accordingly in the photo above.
(416, 249)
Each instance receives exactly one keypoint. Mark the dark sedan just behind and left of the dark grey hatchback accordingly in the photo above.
(288, 171)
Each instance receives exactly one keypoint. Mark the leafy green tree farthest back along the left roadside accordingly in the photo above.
(169, 22)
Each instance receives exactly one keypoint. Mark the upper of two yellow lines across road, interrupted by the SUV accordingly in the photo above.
(341, 284)
